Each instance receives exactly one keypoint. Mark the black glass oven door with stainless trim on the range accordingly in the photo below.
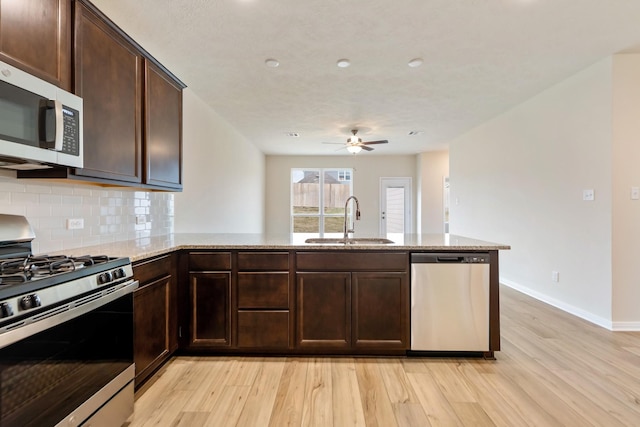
(79, 360)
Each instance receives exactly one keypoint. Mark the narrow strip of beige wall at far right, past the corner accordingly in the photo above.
(626, 174)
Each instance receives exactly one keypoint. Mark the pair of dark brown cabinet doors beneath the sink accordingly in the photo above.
(352, 310)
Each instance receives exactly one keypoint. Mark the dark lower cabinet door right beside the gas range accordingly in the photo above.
(151, 305)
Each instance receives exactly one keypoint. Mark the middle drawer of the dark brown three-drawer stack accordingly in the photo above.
(263, 290)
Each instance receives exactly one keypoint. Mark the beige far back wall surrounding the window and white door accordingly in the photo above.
(366, 185)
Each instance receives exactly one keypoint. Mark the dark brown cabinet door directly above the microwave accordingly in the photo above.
(35, 35)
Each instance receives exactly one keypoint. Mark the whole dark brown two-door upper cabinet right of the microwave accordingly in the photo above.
(132, 109)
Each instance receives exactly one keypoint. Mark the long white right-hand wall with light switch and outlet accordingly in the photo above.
(518, 179)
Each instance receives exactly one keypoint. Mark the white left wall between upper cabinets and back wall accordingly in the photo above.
(223, 176)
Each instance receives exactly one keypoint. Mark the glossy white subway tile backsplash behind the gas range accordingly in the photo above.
(108, 214)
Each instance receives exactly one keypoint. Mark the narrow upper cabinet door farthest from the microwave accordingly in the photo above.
(163, 129)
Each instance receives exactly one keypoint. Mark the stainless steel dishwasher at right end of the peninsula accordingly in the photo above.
(450, 302)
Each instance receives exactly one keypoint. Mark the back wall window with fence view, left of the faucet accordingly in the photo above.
(317, 200)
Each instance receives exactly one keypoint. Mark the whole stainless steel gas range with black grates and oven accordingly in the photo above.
(66, 335)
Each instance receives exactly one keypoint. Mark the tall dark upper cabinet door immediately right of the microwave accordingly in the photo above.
(109, 79)
